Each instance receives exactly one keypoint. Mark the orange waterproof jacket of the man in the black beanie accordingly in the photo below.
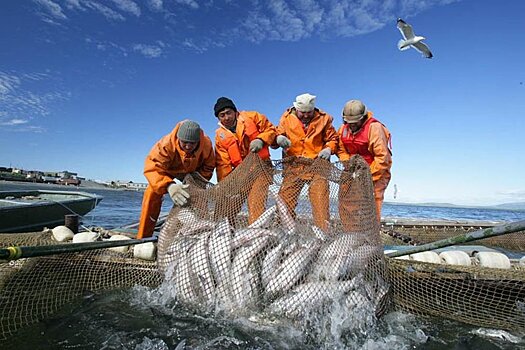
(231, 149)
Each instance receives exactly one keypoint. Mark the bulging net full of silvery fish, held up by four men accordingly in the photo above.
(294, 240)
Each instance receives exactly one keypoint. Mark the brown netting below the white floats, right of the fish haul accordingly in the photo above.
(486, 297)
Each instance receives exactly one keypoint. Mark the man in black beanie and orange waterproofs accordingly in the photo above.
(239, 133)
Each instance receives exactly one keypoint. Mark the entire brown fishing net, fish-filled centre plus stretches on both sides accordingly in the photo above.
(294, 239)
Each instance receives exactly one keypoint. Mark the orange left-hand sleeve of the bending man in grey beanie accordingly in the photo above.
(158, 162)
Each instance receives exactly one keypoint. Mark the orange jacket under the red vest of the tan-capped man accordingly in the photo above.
(378, 141)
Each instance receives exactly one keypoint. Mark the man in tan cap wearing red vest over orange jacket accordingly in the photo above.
(362, 134)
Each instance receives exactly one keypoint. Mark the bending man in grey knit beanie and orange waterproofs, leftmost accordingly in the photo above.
(185, 150)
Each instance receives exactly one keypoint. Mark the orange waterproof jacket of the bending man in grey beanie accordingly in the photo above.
(167, 161)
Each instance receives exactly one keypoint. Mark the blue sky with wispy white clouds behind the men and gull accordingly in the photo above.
(90, 85)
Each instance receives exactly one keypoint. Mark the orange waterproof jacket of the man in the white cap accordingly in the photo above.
(308, 143)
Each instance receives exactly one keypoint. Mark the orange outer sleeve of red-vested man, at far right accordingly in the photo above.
(378, 146)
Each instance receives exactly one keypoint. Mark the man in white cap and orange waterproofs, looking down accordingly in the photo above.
(306, 131)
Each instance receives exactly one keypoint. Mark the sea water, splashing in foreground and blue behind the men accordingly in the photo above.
(150, 318)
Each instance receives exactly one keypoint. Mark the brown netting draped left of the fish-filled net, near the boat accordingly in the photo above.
(32, 289)
